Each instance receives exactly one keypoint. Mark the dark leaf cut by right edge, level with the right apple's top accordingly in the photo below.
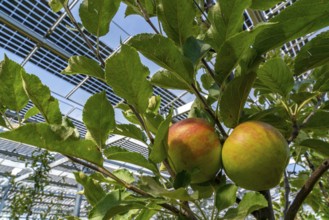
(320, 120)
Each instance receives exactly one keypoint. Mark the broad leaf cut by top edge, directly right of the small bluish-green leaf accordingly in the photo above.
(226, 19)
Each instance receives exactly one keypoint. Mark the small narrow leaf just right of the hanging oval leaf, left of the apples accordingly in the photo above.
(130, 130)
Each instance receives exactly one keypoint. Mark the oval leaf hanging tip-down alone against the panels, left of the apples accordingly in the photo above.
(98, 116)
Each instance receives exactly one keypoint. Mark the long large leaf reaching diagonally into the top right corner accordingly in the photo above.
(299, 19)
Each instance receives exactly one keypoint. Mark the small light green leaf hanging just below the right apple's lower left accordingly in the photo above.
(225, 196)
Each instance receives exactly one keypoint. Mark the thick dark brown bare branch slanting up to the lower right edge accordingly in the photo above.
(306, 189)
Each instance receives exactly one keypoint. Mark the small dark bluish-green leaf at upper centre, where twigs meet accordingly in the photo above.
(195, 49)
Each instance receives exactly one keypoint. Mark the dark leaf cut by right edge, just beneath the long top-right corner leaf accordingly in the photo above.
(315, 53)
